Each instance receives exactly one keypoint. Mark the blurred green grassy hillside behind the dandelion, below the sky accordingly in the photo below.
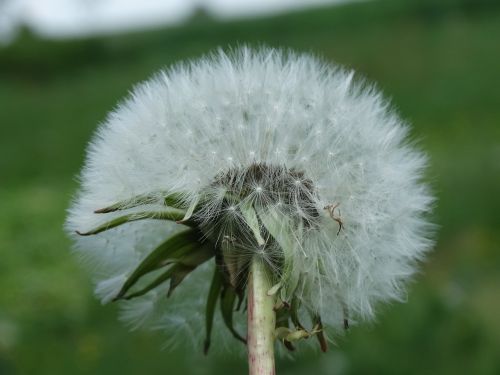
(439, 61)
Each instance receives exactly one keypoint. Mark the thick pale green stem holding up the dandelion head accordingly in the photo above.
(261, 321)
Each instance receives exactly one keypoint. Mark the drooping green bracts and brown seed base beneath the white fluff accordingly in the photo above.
(253, 227)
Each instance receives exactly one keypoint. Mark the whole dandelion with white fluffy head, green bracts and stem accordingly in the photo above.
(258, 183)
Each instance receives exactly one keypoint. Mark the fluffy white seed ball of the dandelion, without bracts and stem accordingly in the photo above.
(286, 133)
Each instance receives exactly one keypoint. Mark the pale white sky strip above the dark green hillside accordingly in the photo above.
(74, 18)
